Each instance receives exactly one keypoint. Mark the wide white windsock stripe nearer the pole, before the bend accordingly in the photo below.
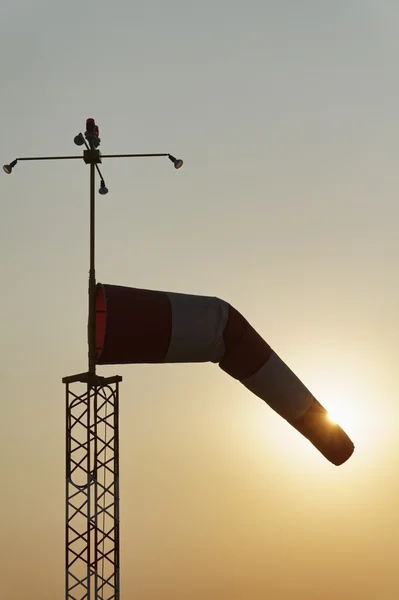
(198, 323)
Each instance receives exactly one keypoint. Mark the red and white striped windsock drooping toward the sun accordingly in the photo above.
(145, 326)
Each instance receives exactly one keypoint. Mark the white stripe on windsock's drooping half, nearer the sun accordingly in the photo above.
(280, 388)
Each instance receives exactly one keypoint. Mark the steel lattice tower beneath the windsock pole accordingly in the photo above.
(92, 487)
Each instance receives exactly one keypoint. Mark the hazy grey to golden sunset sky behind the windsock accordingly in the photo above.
(285, 114)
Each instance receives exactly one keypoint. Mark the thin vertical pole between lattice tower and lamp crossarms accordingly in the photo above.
(92, 278)
